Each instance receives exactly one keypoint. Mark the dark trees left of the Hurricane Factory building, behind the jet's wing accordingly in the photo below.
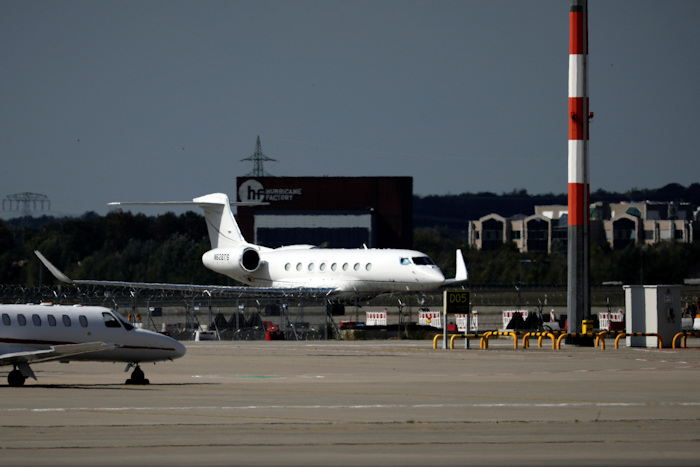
(120, 246)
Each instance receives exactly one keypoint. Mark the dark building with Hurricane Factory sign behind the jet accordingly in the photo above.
(334, 212)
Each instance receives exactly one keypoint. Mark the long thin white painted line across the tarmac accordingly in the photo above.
(358, 407)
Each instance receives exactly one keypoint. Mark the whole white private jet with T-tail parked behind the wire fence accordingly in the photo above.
(338, 273)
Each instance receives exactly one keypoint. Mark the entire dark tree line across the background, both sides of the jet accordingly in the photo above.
(123, 246)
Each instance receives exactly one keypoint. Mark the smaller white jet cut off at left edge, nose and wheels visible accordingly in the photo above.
(46, 332)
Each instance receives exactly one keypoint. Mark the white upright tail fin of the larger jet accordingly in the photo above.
(222, 227)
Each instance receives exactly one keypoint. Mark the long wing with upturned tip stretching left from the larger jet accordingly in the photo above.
(269, 291)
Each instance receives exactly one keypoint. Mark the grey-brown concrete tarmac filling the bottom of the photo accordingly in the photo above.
(388, 403)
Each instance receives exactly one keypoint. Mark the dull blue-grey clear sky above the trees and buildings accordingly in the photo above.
(160, 100)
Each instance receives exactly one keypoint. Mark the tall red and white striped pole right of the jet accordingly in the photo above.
(579, 192)
